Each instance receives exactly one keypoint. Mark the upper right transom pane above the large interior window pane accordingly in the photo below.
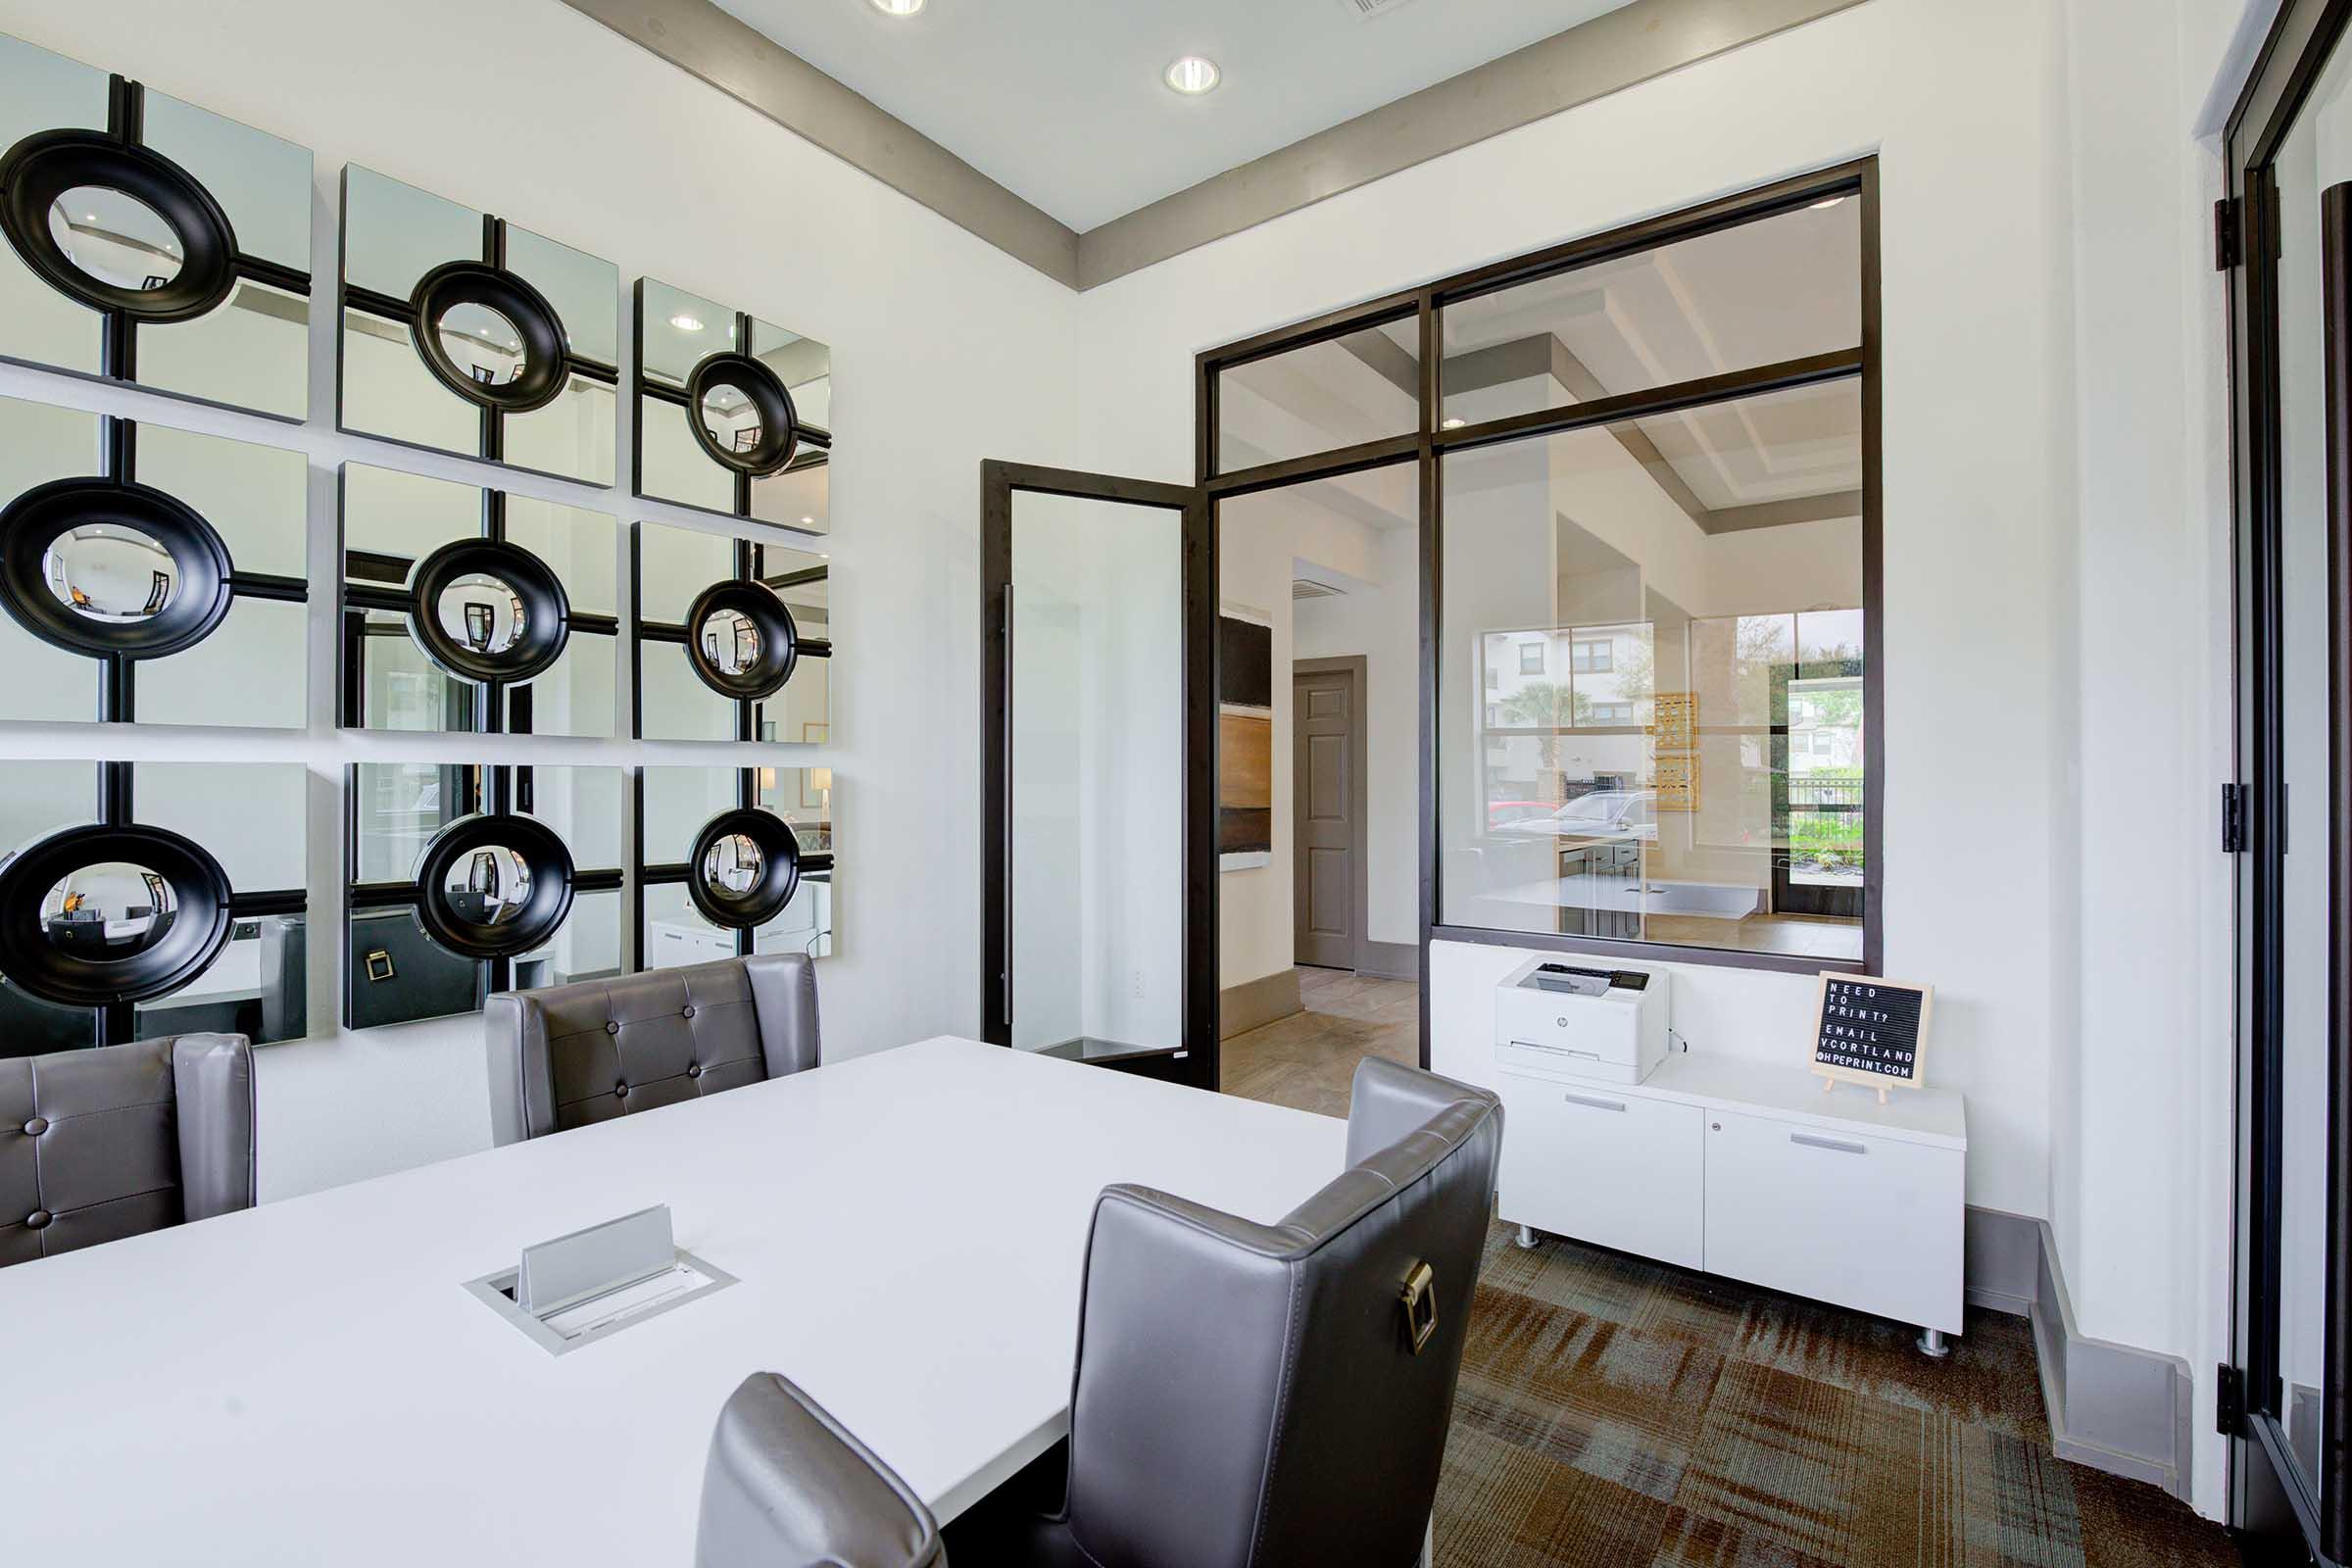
(1735, 300)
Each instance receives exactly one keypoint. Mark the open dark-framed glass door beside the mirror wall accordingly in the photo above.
(1100, 864)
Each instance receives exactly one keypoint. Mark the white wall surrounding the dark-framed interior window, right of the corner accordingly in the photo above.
(2047, 457)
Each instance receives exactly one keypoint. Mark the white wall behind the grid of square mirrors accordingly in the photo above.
(947, 351)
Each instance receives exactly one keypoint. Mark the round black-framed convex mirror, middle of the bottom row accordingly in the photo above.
(493, 887)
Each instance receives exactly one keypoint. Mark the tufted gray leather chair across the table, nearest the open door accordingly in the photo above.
(601, 1050)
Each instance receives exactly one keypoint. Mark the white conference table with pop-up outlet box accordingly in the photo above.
(312, 1383)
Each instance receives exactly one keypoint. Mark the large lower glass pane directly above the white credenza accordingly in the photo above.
(1643, 626)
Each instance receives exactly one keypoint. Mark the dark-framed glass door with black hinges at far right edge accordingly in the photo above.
(2292, 319)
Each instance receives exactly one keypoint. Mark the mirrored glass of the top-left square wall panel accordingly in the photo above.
(253, 349)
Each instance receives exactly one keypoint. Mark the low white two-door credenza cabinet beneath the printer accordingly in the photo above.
(1751, 1172)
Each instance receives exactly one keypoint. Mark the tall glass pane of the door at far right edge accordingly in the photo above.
(2311, 161)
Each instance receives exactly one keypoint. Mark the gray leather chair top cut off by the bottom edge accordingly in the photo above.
(787, 1487)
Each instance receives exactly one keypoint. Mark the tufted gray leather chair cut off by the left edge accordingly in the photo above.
(119, 1141)
